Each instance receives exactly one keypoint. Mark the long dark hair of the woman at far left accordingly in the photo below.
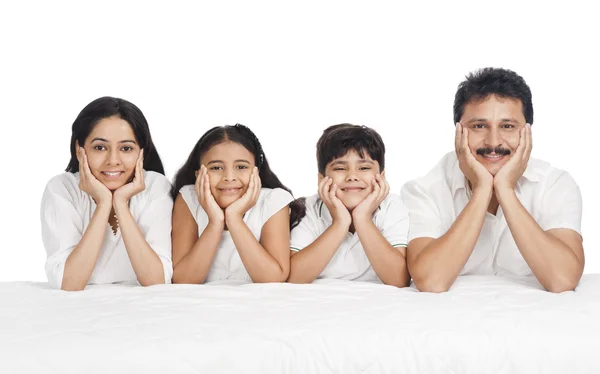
(105, 107)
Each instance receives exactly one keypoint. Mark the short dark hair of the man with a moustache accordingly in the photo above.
(493, 81)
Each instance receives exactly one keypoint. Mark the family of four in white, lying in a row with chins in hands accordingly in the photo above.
(486, 207)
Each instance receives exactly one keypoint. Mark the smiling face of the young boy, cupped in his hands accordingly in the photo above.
(353, 175)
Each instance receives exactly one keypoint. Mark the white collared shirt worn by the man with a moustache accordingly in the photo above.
(434, 201)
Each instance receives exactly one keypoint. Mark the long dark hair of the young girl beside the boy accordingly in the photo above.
(244, 136)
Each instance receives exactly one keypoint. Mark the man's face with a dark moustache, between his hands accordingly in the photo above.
(494, 124)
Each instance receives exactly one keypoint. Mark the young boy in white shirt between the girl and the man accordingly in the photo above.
(353, 228)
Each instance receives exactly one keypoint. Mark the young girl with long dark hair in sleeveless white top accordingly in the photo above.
(226, 225)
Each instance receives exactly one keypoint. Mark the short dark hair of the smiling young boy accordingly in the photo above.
(337, 140)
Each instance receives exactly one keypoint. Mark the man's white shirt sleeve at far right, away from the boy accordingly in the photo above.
(562, 205)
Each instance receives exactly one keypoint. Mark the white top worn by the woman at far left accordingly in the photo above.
(66, 212)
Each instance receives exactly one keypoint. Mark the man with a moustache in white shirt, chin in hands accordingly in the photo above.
(487, 208)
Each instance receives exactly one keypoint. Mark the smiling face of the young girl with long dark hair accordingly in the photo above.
(229, 166)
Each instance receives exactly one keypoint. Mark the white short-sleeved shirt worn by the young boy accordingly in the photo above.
(350, 261)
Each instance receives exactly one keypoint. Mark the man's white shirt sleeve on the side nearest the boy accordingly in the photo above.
(425, 220)
